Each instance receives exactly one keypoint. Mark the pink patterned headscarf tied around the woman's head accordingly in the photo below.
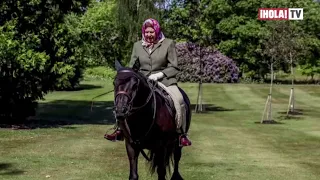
(156, 26)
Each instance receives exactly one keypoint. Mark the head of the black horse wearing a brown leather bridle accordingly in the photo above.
(128, 84)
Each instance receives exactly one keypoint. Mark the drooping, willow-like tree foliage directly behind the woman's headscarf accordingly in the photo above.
(130, 15)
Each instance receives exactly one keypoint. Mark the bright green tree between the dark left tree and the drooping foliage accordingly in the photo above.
(96, 34)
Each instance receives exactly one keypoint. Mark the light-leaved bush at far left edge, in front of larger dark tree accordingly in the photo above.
(21, 71)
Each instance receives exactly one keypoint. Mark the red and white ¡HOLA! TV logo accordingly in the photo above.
(280, 14)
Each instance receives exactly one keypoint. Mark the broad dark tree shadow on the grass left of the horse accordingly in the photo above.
(60, 113)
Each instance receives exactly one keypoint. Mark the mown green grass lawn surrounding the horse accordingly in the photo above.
(227, 141)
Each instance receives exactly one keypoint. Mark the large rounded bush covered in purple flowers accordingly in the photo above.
(216, 67)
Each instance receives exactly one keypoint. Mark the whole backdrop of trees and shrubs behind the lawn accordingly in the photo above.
(51, 45)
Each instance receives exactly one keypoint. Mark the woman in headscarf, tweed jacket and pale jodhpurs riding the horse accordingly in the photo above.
(155, 56)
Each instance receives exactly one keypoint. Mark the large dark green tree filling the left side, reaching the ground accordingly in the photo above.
(37, 53)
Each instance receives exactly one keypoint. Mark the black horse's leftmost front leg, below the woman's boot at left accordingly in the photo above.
(133, 155)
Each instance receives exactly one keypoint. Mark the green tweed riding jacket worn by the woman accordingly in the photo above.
(163, 58)
